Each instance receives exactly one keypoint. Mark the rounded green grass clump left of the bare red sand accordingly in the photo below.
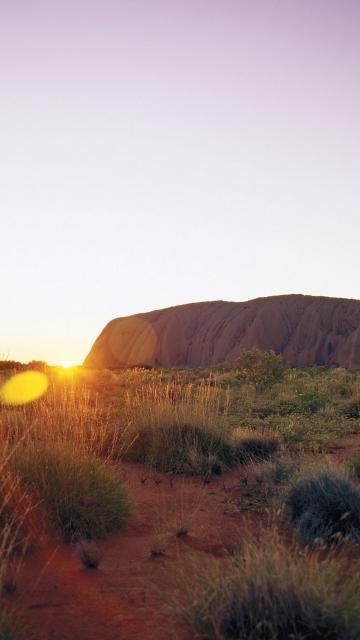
(82, 495)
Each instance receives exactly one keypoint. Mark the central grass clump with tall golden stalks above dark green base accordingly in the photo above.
(180, 428)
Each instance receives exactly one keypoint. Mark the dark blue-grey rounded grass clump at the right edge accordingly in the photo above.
(324, 505)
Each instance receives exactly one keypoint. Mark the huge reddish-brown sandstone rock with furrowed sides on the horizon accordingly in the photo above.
(306, 330)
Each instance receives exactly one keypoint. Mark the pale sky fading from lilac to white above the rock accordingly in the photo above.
(157, 152)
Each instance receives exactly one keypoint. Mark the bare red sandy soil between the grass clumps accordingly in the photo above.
(124, 598)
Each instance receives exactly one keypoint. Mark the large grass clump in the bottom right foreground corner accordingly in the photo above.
(270, 592)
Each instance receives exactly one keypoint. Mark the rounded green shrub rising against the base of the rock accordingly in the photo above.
(260, 368)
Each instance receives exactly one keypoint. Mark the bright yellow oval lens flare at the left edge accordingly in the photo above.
(24, 387)
